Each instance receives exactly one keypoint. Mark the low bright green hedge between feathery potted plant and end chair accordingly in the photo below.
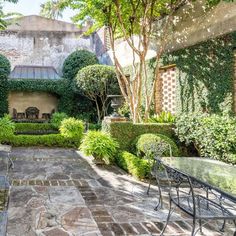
(134, 165)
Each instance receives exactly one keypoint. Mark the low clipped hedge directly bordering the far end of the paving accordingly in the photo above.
(49, 140)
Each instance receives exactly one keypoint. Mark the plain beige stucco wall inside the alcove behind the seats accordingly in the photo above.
(45, 102)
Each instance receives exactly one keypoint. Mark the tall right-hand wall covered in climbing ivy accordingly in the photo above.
(205, 75)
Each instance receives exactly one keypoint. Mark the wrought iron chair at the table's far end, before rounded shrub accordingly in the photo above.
(157, 151)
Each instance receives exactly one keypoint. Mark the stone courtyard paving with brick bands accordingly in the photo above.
(59, 192)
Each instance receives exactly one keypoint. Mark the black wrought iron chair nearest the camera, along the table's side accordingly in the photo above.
(185, 193)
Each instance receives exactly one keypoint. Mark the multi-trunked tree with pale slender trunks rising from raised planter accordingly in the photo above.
(151, 22)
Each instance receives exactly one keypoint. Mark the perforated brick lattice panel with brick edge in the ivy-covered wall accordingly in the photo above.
(165, 94)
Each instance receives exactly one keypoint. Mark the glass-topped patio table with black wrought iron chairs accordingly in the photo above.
(202, 188)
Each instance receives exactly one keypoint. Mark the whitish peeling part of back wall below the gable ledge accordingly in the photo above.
(42, 48)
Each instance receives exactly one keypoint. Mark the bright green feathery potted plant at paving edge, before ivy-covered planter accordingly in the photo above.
(100, 145)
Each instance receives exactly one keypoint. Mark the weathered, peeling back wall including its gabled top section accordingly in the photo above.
(35, 40)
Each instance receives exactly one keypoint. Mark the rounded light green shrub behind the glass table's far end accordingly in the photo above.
(155, 145)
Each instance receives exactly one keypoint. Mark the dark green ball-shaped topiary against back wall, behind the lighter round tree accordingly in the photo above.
(76, 61)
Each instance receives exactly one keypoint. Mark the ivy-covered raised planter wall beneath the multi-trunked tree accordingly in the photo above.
(126, 132)
